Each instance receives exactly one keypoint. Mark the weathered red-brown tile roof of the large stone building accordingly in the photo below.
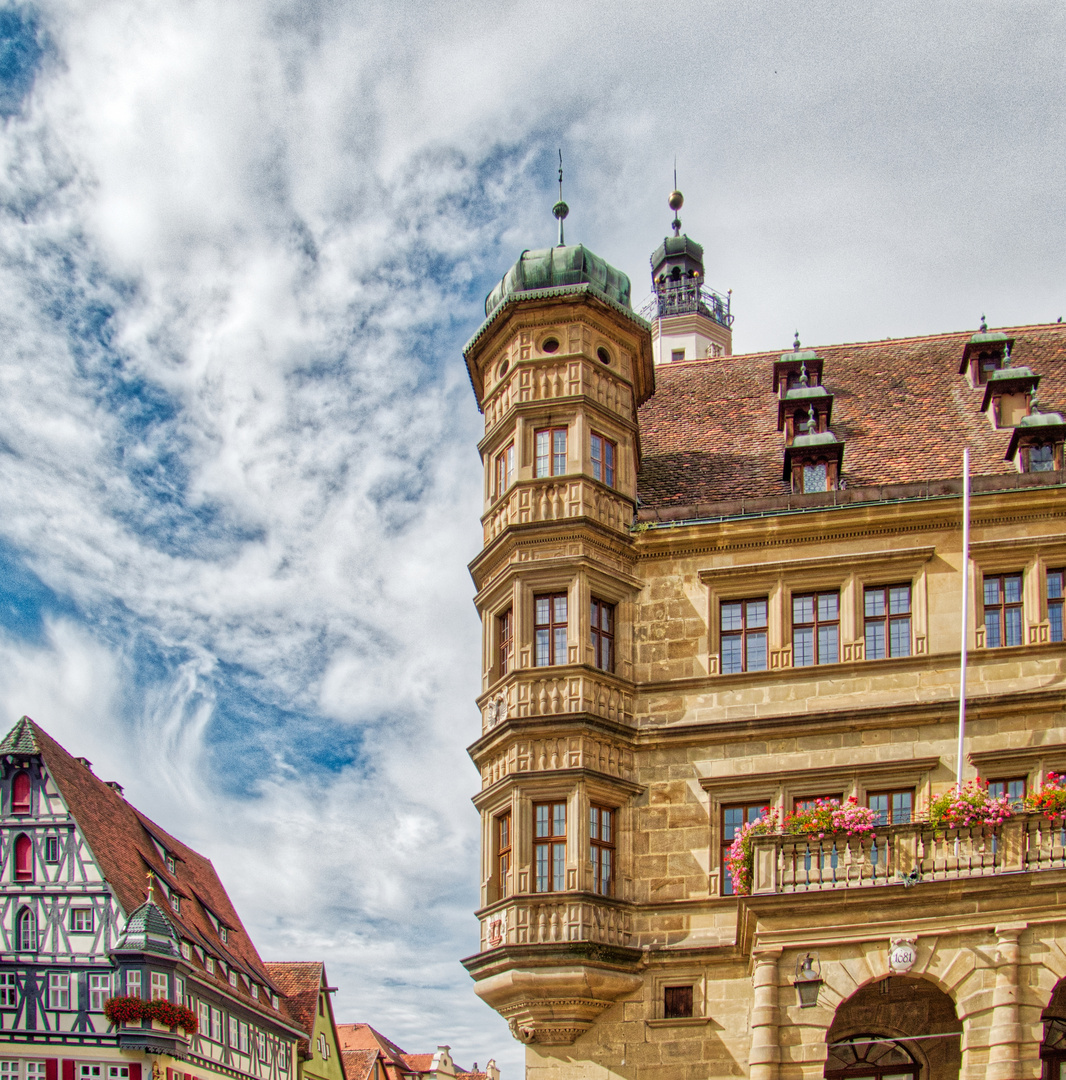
(710, 431)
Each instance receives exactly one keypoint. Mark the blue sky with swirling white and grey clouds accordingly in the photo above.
(242, 245)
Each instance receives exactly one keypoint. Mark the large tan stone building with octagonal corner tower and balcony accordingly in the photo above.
(713, 585)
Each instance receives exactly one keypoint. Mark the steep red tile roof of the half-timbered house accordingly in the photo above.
(120, 836)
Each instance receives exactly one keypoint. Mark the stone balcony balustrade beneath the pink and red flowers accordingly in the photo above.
(906, 855)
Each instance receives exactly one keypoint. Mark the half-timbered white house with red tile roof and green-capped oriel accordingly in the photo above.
(99, 904)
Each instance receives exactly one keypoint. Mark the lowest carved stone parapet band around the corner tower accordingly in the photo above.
(552, 919)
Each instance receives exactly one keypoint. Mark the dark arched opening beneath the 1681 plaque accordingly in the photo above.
(898, 1027)
